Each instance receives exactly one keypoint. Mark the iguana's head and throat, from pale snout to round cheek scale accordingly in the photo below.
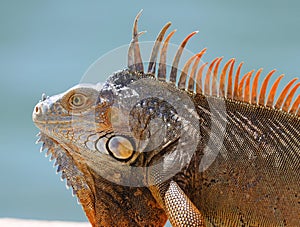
(92, 154)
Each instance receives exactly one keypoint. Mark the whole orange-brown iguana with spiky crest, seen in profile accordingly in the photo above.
(201, 149)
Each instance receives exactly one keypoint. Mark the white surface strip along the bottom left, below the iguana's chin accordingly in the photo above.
(9, 222)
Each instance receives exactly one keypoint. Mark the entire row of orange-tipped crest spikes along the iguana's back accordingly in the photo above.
(213, 82)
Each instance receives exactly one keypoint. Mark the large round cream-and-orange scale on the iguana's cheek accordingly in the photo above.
(120, 147)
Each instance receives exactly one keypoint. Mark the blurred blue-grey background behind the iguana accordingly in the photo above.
(46, 46)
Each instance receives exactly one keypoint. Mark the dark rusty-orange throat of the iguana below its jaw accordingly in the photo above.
(117, 205)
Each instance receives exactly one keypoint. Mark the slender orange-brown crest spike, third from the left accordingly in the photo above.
(162, 69)
